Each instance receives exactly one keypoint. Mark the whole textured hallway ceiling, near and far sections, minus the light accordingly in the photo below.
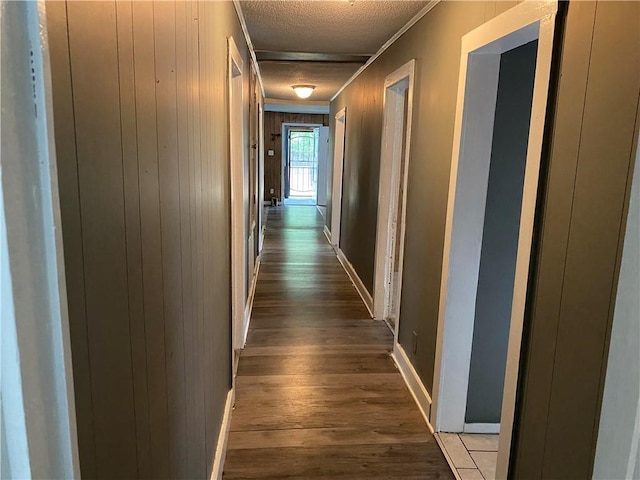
(320, 26)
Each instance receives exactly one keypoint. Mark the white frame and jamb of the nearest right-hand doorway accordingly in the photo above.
(473, 130)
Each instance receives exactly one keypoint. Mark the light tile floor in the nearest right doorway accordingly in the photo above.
(473, 455)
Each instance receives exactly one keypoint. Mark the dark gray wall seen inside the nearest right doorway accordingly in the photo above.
(500, 234)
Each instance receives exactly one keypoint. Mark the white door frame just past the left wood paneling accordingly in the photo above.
(235, 87)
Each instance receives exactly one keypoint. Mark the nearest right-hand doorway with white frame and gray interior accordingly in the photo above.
(502, 95)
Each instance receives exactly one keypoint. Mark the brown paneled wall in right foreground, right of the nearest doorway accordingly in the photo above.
(581, 227)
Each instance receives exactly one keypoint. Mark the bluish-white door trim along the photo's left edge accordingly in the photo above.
(38, 413)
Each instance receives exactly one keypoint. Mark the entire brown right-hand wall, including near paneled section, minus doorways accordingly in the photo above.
(580, 227)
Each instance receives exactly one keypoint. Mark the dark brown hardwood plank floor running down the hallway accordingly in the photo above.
(317, 394)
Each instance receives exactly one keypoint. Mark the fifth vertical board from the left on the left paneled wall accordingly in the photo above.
(164, 19)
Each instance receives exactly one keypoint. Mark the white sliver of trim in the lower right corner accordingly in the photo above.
(617, 454)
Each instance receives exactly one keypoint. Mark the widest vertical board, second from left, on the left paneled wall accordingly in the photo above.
(94, 68)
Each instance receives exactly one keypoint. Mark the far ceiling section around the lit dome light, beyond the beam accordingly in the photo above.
(328, 78)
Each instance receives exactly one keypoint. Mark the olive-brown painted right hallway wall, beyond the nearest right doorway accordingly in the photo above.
(435, 44)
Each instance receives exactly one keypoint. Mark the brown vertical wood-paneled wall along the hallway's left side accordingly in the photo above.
(141, 119)
